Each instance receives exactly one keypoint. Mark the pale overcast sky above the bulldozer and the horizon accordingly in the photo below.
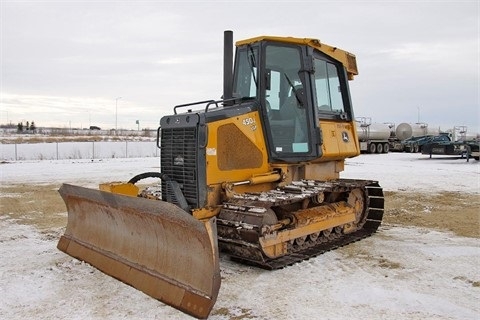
(111, 63)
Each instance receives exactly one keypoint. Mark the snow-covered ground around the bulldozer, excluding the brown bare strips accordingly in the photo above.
(406, 272)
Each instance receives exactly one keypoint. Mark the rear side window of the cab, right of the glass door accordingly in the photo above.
(329, 93)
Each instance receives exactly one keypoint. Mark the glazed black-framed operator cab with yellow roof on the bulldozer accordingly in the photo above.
(296, 87)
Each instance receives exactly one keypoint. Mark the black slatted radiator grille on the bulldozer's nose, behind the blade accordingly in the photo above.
(179, 161)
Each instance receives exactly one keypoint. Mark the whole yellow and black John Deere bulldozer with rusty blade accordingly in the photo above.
(254, 175)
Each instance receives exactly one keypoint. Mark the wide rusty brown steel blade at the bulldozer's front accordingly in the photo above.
(151, 245)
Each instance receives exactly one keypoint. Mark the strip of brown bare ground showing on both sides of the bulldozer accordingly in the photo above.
(42, 206)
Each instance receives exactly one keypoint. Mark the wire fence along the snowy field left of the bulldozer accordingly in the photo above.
(78, 150)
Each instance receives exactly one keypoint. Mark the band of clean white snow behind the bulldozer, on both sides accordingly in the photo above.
(394, 171)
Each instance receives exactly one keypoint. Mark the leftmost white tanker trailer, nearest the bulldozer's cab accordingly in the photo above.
(373, 137)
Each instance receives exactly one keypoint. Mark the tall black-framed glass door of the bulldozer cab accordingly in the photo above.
(289, 119)
